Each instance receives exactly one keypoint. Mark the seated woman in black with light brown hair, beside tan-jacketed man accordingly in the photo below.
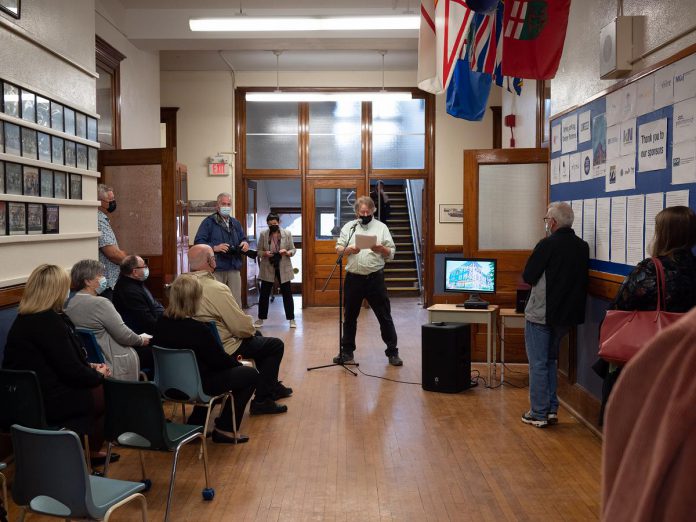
(219, 371)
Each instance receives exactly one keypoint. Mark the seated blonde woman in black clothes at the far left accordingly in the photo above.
(42, 339)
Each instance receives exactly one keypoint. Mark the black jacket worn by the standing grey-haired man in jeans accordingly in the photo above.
(561, 262)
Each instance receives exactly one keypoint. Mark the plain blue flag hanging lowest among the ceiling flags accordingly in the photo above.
(467, 93)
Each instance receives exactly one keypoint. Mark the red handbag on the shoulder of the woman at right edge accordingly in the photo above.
(623, 333)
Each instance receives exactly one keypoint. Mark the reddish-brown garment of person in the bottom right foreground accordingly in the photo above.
(649, 450)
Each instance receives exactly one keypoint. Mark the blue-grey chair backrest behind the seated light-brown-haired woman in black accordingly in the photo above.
(177, 375)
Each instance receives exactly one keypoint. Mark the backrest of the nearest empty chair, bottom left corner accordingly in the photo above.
(51, 474)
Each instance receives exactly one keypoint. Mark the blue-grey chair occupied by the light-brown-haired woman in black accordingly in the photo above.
(179, 380)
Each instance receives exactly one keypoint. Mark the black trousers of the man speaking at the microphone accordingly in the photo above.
(372, 288)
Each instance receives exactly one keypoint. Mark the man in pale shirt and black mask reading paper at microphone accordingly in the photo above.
(365, 280)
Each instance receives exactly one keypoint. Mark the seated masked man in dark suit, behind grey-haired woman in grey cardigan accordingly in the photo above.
(133, 300)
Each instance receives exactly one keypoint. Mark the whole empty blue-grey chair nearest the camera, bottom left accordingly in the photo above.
(51, 479)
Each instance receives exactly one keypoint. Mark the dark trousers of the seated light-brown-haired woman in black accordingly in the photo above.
(241, 381)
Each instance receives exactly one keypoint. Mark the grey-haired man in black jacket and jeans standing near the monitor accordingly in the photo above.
(557, 272)
